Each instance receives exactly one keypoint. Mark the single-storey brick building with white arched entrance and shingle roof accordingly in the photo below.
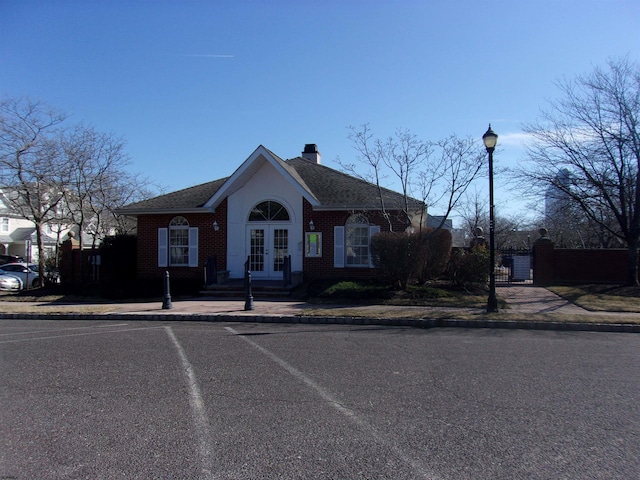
(265, 211)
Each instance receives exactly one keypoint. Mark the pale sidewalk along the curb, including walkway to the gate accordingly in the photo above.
(522, 299)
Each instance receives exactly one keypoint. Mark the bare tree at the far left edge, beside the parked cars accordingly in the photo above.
(30, 161)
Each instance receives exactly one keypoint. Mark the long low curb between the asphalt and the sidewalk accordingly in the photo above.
(318, 320)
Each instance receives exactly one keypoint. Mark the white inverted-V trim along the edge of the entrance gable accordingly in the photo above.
(246, 171)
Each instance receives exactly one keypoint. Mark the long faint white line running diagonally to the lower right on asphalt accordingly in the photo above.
(333, 402)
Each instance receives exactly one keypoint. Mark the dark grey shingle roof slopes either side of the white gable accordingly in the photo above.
(333, 190)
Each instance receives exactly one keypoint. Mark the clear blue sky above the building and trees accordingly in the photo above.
(195, 87)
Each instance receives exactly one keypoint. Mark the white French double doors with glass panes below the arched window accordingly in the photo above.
(267, 245)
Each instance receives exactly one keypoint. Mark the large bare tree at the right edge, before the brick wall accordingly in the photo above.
(592, 132)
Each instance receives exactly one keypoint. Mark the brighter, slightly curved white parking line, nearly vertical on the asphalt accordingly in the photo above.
(198, 411)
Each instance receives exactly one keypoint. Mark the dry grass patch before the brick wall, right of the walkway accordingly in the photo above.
(601, 298)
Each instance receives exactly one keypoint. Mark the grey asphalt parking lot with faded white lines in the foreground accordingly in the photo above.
(143, 399)
